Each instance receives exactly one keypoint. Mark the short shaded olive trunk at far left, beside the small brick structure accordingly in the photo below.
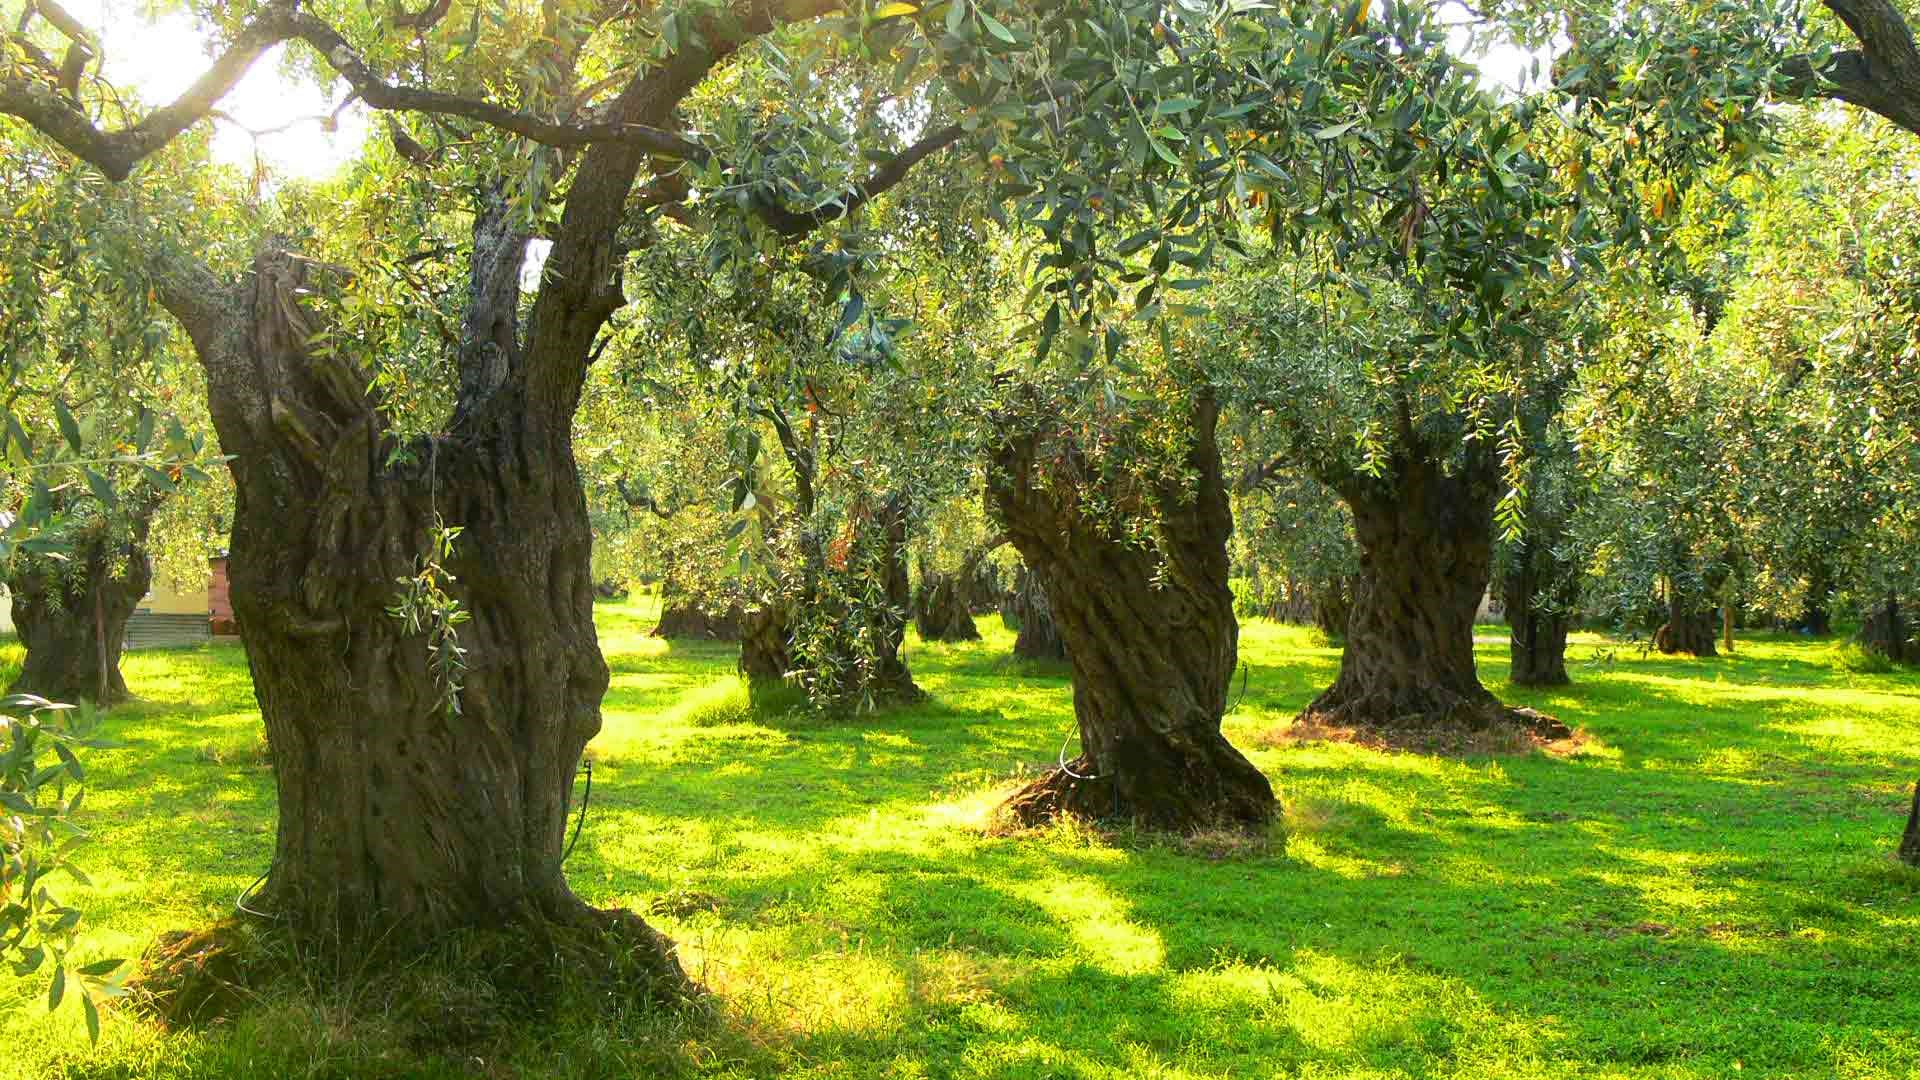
(72, 614)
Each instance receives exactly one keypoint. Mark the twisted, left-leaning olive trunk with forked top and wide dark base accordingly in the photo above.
(1151, 635)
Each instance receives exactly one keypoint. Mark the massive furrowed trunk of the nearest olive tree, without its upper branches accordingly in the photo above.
(406, 814)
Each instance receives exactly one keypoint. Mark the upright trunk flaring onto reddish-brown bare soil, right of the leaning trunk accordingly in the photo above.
(1426, 554)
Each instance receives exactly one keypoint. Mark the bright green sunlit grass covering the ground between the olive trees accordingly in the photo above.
(1702, 889)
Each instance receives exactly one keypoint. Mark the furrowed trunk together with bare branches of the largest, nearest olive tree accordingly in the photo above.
(400, 820)
